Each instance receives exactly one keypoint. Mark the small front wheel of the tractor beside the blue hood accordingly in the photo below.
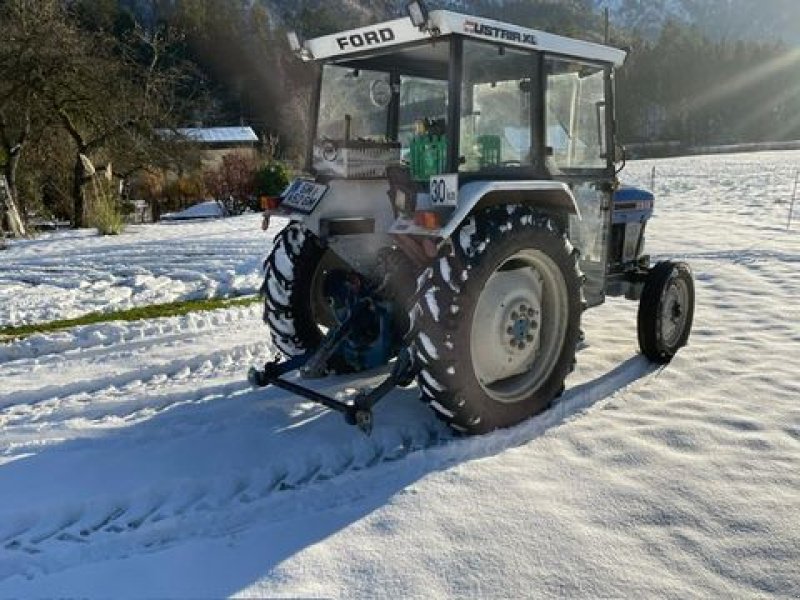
(666, 311)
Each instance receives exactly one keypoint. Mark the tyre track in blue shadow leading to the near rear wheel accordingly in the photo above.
(210, 508)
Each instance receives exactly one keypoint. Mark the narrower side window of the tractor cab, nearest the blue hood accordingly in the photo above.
(576, 114)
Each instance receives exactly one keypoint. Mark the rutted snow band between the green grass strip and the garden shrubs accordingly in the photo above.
(67, 274)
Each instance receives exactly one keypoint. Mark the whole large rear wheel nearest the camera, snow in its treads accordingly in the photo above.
(498, 320)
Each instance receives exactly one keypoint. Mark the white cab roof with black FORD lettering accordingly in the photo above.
(382, 36)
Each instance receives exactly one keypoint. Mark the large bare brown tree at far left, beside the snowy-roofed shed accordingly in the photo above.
(107, 93)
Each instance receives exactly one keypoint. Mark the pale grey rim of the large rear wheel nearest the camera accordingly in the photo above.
(519, 326)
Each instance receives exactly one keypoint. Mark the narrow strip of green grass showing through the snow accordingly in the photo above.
(154, 311)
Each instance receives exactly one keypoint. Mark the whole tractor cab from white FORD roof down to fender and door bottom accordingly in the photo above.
(454, 112)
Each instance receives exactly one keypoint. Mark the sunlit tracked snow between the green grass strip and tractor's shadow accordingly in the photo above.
(123, 383)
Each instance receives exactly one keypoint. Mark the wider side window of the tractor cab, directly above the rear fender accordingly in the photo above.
(496, 107)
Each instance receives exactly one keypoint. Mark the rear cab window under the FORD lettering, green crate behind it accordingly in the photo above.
(384, 110)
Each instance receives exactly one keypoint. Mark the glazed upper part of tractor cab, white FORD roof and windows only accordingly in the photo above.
(462, 95)
